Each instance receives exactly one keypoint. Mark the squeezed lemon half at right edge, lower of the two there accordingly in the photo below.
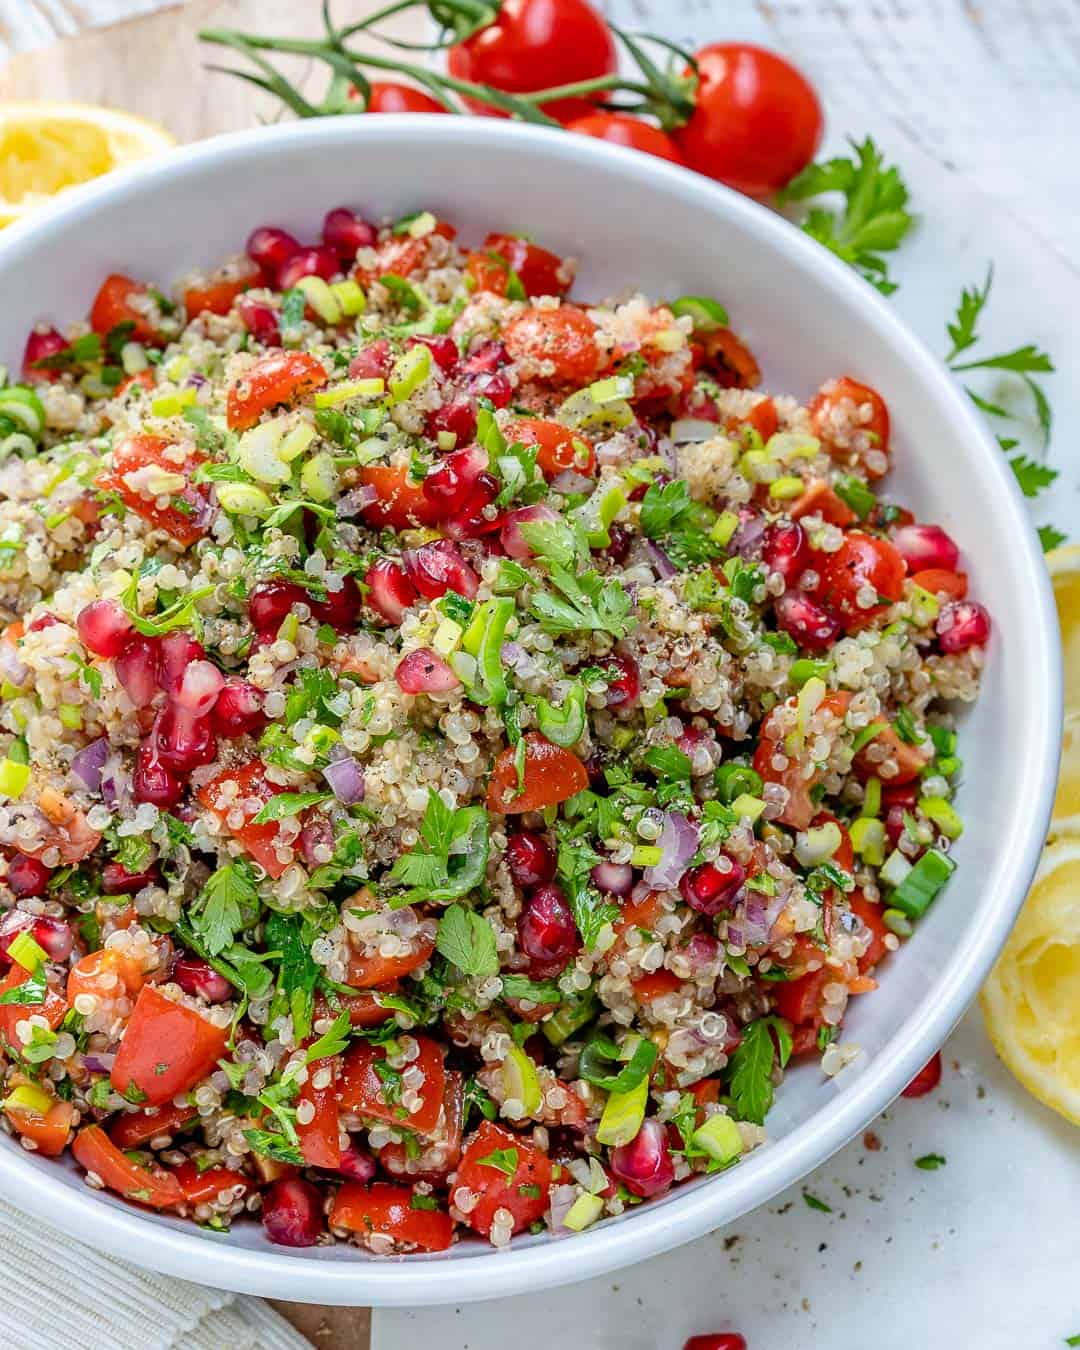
(1032, 1000)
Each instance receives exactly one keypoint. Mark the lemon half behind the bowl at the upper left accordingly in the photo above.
(47, 148)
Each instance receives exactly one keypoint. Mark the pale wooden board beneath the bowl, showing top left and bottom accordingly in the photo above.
(157, 67)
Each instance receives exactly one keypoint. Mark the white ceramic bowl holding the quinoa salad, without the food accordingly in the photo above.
(634, 222)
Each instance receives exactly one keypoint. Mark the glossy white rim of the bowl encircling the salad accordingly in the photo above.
(126, 1233)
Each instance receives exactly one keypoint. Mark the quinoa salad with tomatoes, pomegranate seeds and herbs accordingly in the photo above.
(458, 743)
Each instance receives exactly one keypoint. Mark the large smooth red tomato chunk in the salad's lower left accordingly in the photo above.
(167, 1050)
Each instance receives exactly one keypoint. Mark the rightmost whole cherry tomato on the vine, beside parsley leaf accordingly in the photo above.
(758, 121)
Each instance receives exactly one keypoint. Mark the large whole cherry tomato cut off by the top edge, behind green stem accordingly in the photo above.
(538, 45)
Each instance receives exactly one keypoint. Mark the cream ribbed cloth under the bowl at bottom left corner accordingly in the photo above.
(60, 1294)
